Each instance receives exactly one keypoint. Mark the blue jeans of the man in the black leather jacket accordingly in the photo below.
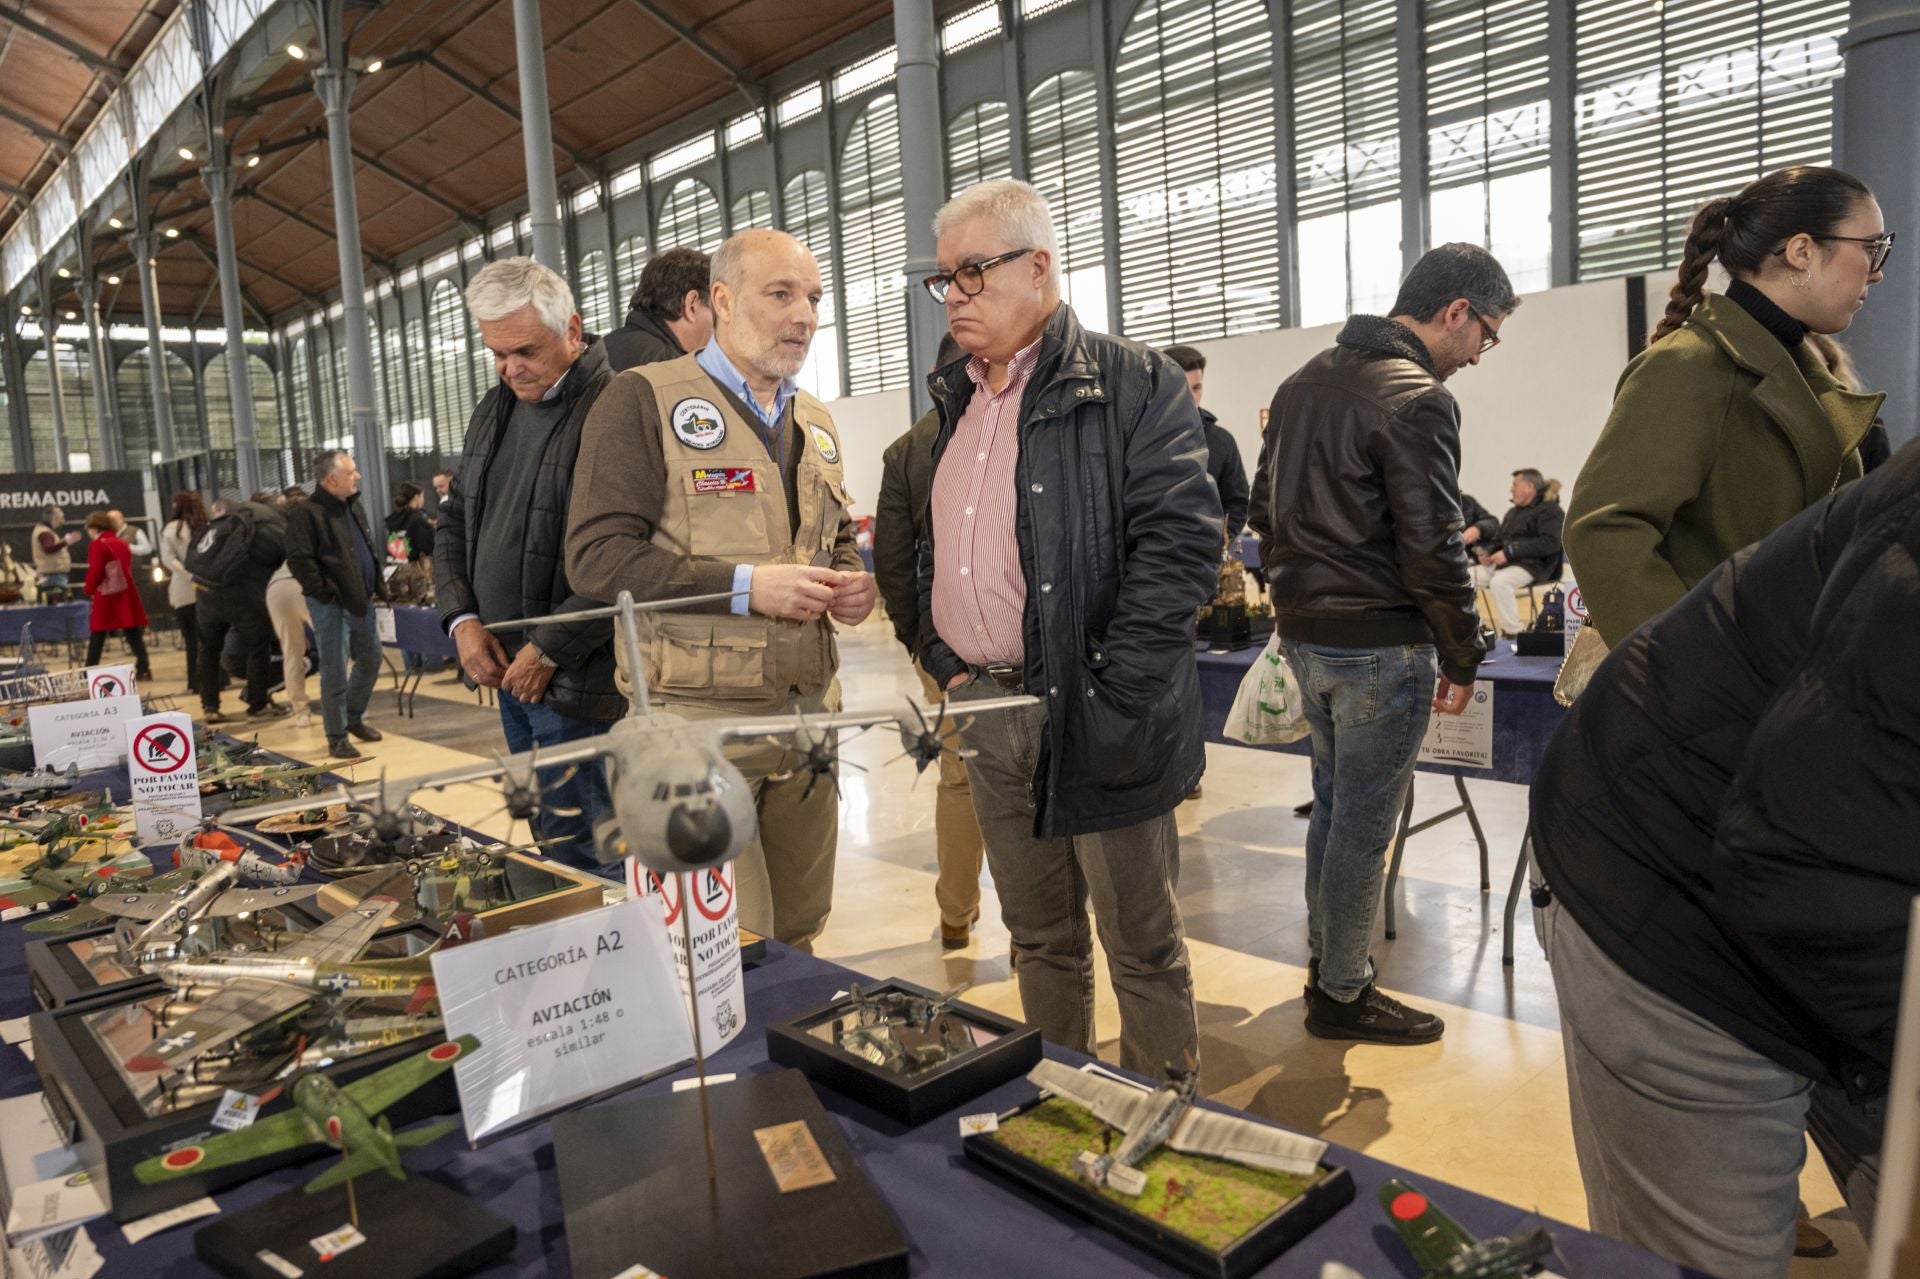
(1368, 712)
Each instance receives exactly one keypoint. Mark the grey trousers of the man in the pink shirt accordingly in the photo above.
(1045, 888)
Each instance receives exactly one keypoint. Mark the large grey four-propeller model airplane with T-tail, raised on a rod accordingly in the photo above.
(679, 802)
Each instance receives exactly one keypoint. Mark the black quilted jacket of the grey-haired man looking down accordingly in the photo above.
(585, 685)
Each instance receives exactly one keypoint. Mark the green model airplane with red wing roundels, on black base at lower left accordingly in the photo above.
(329, 1115)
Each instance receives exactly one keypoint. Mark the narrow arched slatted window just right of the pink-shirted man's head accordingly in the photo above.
(1065, 162)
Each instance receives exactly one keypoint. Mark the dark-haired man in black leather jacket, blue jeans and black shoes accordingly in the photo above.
(1362, 543)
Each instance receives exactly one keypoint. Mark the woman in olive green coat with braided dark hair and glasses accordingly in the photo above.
(1729, 423)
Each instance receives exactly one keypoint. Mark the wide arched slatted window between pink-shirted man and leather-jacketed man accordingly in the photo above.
(1193, 149)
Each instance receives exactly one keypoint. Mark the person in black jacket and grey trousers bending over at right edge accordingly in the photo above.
(1727, 831)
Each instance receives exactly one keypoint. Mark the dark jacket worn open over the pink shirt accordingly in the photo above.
(1120, 537)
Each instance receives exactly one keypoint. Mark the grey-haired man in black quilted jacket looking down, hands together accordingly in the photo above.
(502, 541)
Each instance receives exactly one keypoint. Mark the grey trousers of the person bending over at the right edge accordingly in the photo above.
(1691, 1144)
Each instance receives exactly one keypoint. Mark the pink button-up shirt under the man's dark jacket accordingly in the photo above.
(978, 592)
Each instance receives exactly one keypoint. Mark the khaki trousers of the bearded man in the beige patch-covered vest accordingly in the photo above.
(784, 881)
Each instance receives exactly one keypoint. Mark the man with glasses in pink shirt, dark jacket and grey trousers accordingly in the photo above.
(1072, 539)
